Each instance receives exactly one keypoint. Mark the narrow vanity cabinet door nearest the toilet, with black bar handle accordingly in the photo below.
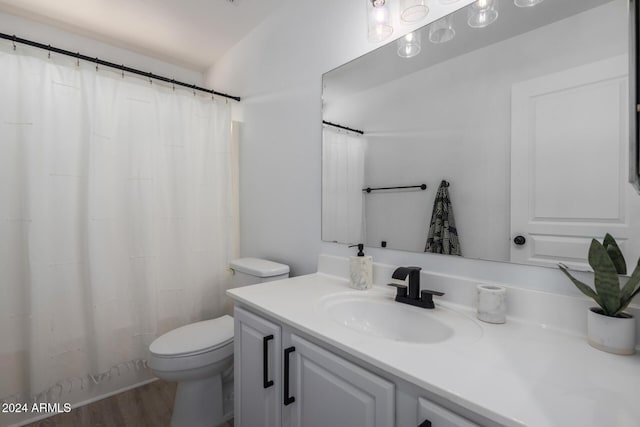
(257, 371)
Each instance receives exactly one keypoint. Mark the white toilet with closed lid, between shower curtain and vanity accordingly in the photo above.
(199, 356)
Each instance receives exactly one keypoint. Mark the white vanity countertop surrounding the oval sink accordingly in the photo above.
(516, 374)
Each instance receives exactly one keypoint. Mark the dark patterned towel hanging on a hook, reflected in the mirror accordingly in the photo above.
(443, 235)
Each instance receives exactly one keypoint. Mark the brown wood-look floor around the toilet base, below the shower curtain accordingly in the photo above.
(150, 405)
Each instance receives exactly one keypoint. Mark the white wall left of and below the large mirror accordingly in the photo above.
(277, 70)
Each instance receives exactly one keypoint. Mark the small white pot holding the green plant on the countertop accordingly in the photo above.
(611, 334)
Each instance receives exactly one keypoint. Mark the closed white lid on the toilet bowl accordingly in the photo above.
(195, 338)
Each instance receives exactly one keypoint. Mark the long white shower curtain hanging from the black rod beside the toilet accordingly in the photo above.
(116, 219)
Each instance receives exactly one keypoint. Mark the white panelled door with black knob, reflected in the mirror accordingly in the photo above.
(569, 159)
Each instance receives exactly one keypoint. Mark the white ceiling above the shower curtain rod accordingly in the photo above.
(190, 33)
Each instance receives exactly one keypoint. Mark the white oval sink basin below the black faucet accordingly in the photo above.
(376, 313)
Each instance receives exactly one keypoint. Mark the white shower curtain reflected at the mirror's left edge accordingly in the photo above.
(342, 182)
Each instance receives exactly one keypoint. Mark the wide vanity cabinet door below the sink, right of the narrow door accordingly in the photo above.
(330, 391)
